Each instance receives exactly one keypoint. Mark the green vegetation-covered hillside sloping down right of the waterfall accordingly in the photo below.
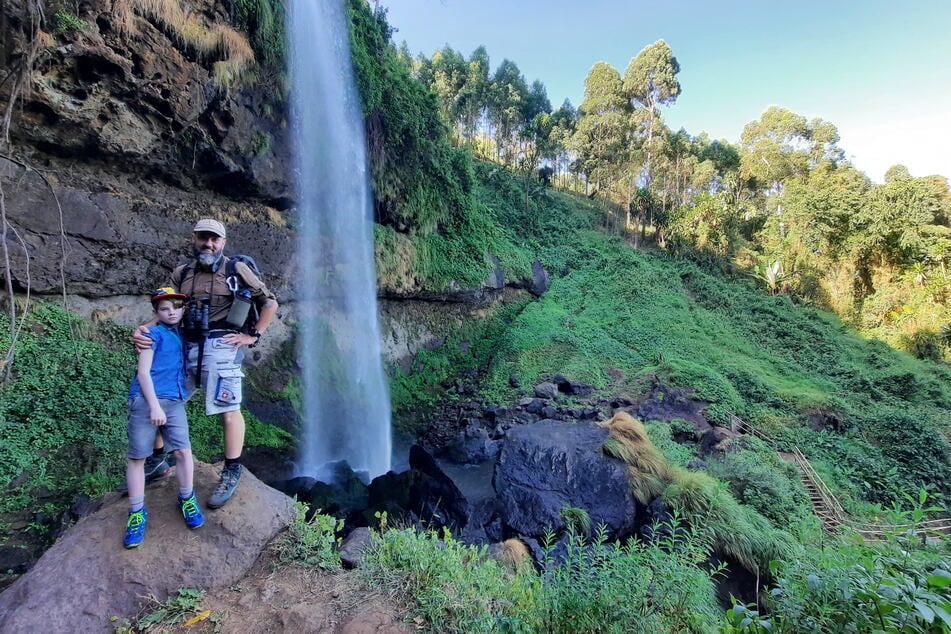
(618, 318)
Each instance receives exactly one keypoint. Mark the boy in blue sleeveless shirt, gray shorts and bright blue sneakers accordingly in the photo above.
(157, 402)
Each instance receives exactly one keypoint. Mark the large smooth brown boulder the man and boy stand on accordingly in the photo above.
(88, 577)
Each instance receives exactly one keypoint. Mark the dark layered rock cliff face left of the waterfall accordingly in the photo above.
(120, 139)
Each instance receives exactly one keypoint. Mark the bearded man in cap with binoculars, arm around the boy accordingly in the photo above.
(215, 344)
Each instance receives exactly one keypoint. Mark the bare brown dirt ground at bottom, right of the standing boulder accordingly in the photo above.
(291, 598)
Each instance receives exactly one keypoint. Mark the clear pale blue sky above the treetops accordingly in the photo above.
(880, 71)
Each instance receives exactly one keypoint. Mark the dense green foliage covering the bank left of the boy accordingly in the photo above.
(62, 415)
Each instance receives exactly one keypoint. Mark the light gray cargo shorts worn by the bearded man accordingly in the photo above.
(220, 375)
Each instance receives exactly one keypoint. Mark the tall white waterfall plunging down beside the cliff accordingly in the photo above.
(346, 406)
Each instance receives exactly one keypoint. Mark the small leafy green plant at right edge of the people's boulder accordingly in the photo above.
(311, 540)
